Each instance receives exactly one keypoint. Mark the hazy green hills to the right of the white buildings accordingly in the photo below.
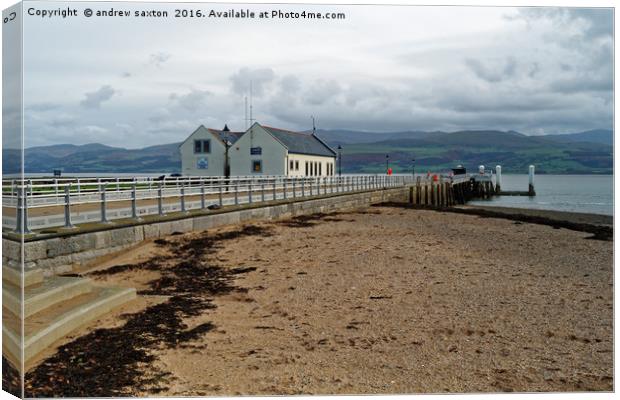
(580, 153)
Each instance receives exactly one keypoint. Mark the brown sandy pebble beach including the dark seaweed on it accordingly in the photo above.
(379, 301)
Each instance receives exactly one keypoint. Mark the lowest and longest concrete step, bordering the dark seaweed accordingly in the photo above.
(53, 323)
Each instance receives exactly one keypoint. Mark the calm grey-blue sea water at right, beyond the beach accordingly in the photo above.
(592, 194)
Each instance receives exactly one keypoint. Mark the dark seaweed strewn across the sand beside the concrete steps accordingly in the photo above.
(118, 361)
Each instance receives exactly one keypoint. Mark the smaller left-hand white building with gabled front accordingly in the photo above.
(203, 153)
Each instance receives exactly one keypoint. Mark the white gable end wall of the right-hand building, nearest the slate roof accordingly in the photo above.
(272, 157)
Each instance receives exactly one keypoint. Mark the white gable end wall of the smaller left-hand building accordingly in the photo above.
(190, 160)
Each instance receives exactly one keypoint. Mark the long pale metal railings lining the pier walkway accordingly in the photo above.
(41, 203)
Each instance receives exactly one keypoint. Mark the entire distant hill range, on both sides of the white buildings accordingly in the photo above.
(363, 152)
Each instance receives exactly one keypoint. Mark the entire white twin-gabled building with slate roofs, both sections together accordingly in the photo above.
(261, 150)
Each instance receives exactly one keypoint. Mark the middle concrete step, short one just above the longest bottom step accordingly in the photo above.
(51, 291)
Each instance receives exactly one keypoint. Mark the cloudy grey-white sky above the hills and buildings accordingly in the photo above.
(138, 82)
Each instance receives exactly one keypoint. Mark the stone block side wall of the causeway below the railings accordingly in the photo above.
(61, 253)
